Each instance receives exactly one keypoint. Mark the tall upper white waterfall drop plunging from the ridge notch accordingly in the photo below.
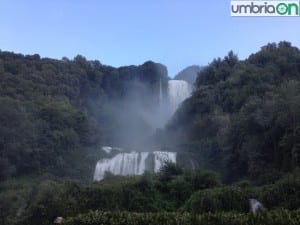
(178, 91)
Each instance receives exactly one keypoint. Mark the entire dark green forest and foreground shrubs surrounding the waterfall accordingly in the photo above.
(241, 127)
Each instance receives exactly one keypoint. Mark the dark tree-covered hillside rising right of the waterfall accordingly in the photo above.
(243, 119)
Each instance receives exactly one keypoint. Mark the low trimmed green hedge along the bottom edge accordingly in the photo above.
(279, 217)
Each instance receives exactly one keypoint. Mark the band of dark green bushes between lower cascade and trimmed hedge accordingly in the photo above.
(39, 201)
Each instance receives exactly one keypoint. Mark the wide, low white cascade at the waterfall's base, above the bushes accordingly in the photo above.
(133, 163)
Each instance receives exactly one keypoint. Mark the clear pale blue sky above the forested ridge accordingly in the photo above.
(175, 33)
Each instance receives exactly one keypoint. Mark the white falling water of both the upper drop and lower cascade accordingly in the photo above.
(136, 163)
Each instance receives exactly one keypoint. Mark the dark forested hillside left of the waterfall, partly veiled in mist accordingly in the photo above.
(52, 115)
